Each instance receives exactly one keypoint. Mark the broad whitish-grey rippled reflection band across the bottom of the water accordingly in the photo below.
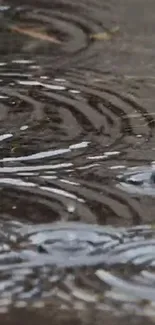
(112, 267)
